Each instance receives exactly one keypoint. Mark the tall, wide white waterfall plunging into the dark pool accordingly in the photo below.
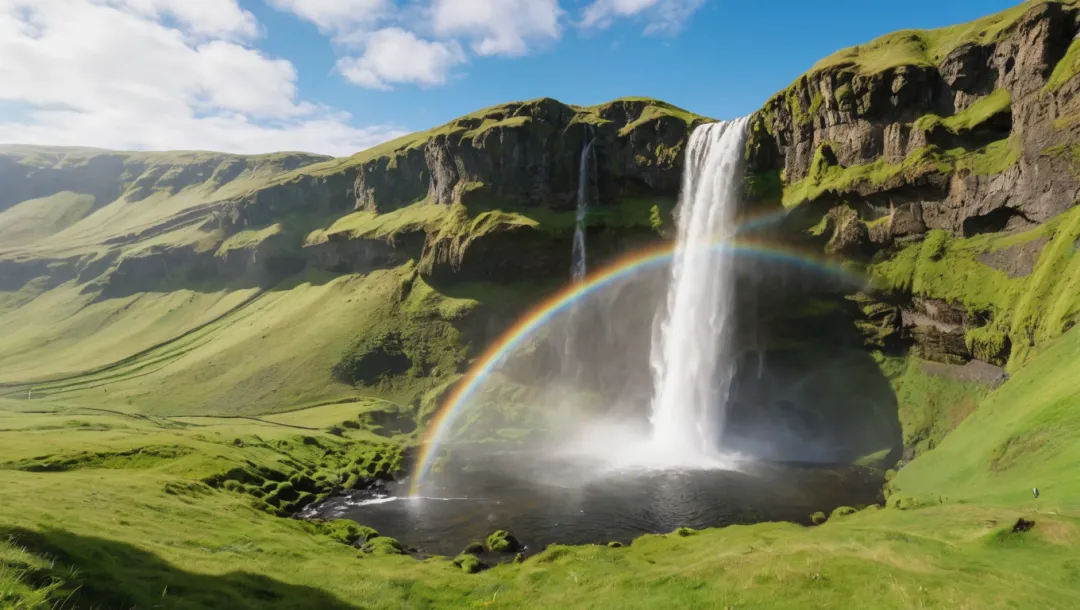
(692, 357)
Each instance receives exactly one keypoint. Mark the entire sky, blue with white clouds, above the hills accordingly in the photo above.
(336, 77)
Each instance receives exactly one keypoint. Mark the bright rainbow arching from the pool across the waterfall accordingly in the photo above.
(561, 302)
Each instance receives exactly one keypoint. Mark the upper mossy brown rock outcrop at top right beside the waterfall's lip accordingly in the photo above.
(933, 133)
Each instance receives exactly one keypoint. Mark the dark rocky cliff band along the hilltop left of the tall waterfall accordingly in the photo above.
(526, 155)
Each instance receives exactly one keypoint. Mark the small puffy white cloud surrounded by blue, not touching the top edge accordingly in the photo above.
(395, 56)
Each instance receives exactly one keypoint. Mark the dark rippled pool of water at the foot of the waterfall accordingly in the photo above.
(616, 507)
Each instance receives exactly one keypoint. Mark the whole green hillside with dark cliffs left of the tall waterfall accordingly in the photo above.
(152, 272)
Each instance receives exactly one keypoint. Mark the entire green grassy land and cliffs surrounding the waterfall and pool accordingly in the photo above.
(196, 346)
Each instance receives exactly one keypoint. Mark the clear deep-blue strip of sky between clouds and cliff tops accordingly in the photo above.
(725, 62)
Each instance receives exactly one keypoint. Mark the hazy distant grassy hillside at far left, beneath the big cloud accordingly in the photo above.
(133, 193)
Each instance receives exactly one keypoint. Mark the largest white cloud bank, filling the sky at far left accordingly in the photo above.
(156, 75)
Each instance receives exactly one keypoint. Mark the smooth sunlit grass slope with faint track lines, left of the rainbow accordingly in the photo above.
(274, 351)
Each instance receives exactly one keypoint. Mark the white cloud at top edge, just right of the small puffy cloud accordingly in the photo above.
(499, 28)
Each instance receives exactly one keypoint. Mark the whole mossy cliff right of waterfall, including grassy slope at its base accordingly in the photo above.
(946, 164)
